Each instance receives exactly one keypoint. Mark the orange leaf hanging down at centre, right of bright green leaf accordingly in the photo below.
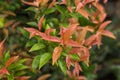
(56, 54)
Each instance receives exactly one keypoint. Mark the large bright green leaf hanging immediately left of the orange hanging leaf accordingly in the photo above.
(45, 57)
